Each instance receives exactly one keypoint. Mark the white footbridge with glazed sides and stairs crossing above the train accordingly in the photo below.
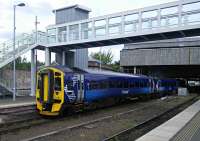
(165, 21)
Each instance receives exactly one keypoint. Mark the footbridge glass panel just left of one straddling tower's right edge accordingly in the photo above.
(73, 32)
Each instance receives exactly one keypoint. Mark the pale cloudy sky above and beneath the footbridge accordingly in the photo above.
(25, 16)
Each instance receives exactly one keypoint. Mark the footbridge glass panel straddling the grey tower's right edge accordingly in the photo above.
(86, 30)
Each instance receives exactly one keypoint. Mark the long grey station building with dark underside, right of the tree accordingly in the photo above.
(176, 58)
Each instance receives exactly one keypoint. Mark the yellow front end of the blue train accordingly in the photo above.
(49, 91)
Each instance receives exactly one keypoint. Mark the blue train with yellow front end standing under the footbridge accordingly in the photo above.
(60, 88)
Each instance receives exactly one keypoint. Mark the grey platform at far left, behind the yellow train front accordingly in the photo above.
(20, 101)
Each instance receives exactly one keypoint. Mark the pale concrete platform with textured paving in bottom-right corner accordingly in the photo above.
(183, 127)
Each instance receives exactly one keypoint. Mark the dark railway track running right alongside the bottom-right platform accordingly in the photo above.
(144, 127)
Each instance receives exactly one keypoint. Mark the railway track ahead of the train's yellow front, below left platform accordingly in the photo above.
(15, 118)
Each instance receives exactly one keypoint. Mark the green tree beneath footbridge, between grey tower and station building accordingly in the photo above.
(105, 57)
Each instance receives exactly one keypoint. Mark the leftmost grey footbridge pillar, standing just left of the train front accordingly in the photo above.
(33, 72)
